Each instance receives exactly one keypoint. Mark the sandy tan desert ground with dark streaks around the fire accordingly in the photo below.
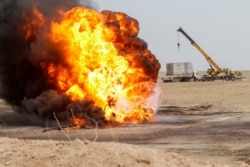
(197, 124)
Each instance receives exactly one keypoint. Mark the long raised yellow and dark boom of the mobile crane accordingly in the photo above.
(207, 57)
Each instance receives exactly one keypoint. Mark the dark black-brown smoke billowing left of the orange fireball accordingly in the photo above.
(23, 84)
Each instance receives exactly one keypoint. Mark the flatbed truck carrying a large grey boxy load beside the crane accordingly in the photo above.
(180, 72)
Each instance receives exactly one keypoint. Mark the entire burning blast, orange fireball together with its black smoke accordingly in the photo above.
(71, 62)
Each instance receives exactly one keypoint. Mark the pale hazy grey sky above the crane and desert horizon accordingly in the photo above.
(220, 27)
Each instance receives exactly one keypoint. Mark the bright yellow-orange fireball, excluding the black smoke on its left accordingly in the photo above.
(98, 58)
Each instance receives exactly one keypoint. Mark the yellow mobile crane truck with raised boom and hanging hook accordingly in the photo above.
(215, 72)
